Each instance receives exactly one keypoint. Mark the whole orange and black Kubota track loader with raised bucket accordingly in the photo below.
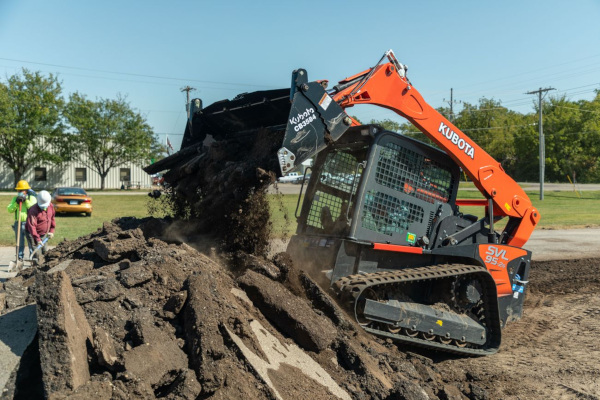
(381, 213)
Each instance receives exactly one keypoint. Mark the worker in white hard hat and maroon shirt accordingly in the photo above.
(40, 221)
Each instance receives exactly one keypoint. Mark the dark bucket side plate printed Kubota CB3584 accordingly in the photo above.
(315, 120)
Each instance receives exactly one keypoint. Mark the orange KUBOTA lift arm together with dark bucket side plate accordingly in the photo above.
(319, 117)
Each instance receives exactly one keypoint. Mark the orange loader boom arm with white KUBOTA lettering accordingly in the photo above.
(386, 85)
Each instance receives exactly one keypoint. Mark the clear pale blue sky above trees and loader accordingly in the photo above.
(149, 50)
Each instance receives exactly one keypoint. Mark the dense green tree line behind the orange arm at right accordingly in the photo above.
(571, 130)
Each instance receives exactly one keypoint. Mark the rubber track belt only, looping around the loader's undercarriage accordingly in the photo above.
(353, 285)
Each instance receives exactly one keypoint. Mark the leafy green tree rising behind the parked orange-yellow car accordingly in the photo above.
(108, 133)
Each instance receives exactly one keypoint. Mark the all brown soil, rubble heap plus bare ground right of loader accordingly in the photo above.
(167, 321)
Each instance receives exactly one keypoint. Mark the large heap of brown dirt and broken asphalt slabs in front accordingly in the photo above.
(124, 315)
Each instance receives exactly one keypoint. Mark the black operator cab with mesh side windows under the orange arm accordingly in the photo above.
(378, 186)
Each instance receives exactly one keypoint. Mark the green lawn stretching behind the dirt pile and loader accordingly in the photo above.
(559, 210)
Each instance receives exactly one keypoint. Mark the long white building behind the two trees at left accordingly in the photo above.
(77, 174)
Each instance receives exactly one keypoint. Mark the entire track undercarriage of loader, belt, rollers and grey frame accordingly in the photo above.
(450, 307)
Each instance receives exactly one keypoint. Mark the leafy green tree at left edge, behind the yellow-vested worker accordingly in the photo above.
(31, 129)
